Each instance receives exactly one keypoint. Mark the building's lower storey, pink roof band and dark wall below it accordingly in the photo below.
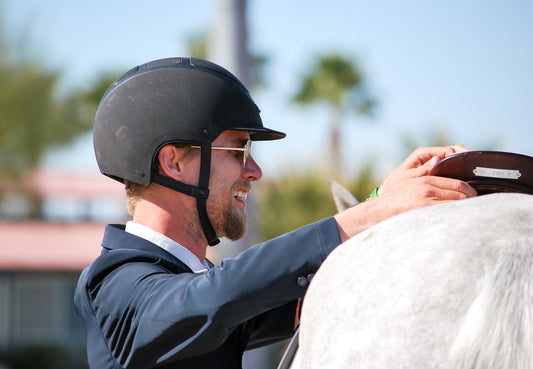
(39, 266)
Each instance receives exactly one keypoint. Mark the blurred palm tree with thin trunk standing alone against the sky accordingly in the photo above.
(337, 81)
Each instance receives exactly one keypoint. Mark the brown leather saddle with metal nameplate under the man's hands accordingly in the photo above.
(489, 171)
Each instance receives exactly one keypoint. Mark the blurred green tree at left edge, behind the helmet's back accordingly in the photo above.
(35, 116)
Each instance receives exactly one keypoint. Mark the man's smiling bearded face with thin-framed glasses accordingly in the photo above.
(229, 185)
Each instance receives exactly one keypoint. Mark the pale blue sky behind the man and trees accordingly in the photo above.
(460, 67)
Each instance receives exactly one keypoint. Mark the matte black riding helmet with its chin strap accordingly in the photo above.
(175, 100)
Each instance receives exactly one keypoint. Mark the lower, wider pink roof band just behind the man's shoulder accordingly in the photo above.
(49, 246)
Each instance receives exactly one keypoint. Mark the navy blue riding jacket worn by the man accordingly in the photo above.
(143, 308)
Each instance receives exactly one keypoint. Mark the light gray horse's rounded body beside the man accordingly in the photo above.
(447, 286)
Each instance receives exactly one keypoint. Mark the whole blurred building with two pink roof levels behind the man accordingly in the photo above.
(41, 259)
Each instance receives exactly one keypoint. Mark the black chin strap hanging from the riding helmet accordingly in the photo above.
(201, 192)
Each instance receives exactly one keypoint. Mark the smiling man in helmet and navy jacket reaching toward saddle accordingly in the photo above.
(178, 133)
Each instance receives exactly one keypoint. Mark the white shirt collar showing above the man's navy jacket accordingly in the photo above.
(180, 252)
